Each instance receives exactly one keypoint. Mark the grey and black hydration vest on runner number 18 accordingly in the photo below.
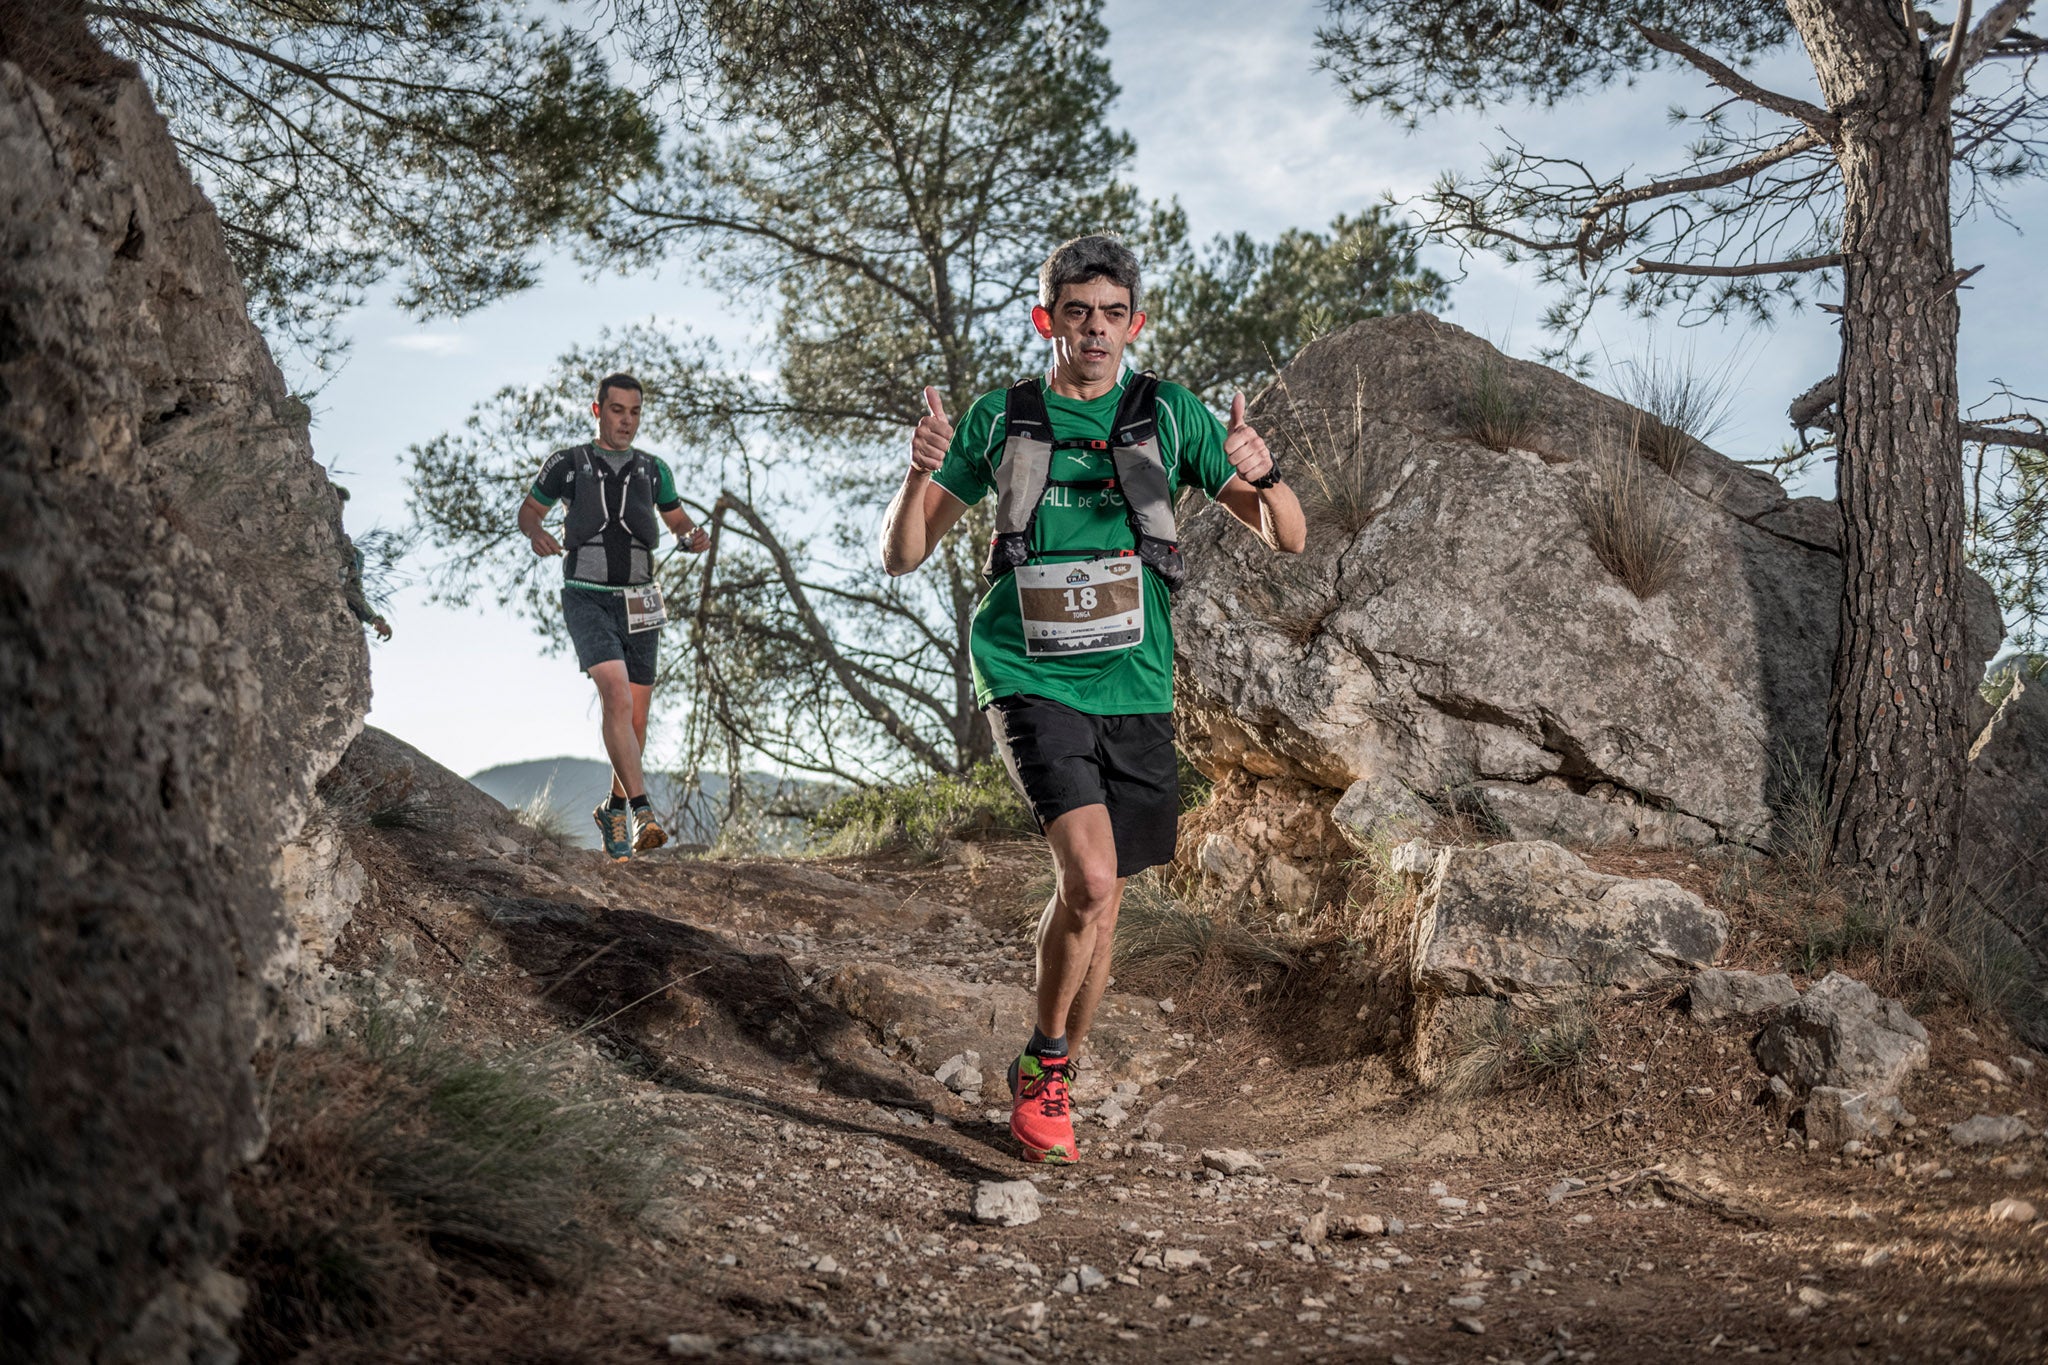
(1134, 447)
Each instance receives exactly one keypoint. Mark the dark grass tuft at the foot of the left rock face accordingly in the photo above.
(400, 1165)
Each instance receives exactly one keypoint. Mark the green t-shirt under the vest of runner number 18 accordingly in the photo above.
(1078, 525)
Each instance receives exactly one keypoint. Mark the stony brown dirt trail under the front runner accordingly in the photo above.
(820, 1182)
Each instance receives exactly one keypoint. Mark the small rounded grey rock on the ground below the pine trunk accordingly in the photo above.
(1846, 1037)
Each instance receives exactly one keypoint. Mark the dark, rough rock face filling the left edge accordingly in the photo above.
(177, 674)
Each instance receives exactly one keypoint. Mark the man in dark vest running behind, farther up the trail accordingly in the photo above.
(615, 496)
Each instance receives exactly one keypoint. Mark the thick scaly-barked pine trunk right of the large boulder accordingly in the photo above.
(1897, 713)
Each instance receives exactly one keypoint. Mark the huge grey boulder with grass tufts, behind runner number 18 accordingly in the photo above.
(1453, 637)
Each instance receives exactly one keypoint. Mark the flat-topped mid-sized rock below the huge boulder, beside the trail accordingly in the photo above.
(1531, 920)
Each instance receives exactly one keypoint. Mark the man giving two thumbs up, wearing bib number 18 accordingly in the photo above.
(1074, 642)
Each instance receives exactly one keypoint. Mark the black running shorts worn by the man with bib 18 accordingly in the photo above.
(1066, 760)
